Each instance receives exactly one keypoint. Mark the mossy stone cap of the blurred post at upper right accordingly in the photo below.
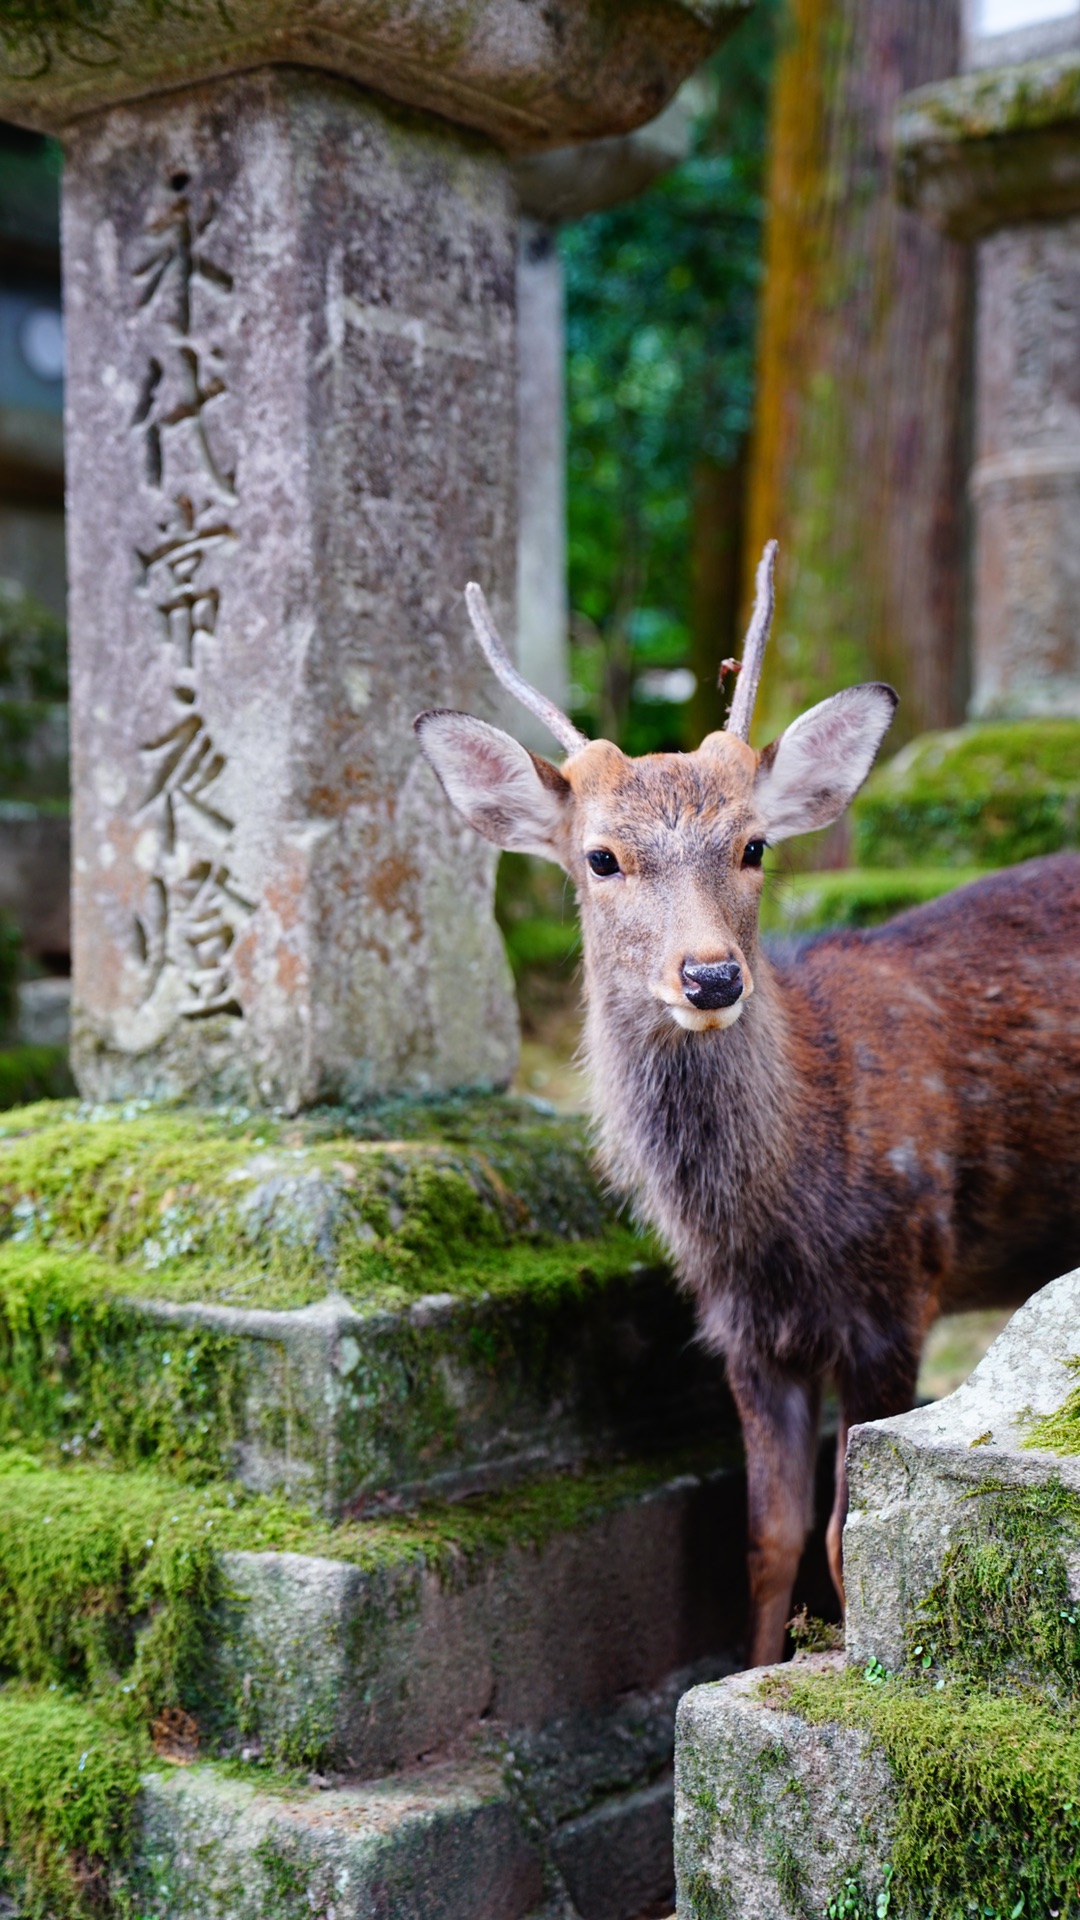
(987, 151)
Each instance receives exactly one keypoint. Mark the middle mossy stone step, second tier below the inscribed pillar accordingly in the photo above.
(376, 1643)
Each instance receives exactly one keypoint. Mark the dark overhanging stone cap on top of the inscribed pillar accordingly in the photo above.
(522, 74)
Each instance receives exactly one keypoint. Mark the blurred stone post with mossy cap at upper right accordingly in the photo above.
(994, 156)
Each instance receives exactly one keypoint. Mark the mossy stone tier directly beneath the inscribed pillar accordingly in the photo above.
(341, 1307)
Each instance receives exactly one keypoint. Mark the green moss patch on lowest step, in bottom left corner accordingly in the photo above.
(68, 1785)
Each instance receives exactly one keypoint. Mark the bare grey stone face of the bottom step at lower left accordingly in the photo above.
(439, 1844)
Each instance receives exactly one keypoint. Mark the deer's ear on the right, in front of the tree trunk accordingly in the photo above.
(820, 763)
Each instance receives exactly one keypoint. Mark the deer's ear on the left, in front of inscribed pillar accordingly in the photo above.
(504, 792)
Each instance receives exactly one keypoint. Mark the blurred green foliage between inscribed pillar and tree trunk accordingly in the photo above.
(662, 302)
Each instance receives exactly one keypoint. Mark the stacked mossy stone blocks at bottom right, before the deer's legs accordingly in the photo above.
(931, 1769)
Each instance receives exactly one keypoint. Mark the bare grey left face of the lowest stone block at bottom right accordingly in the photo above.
(772, 1815)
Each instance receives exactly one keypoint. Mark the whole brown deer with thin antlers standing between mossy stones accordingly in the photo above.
(837, 1141)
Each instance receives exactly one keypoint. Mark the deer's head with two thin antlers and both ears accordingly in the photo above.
(666, 852)
